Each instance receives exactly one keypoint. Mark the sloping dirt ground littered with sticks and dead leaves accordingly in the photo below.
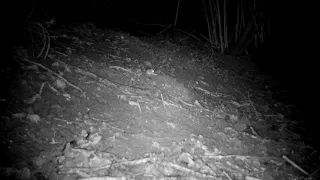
(102, 105)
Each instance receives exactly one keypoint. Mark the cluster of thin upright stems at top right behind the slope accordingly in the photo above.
(249, 25)
